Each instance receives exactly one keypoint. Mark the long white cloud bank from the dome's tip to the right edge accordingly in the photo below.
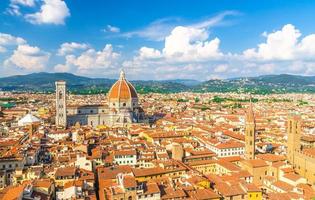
(284, 51)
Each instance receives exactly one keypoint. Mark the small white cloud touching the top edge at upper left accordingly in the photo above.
(51, 12)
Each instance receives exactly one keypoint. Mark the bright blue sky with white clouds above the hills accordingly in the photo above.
(158, 39)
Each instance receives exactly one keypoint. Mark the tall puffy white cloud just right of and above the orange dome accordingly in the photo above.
(183, 45)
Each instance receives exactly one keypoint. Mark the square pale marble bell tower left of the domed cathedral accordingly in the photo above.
(61, 112)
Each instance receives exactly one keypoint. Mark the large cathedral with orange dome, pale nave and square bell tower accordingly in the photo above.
(122, 109)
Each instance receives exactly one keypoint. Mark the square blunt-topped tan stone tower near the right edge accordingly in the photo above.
(294, 136)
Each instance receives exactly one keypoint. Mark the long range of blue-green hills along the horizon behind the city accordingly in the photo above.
(261, 84)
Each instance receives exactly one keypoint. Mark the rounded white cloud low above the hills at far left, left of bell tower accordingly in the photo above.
(30, 58)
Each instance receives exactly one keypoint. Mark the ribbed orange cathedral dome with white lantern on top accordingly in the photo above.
(122, 90)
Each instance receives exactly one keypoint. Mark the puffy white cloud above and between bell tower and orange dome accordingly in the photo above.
(91, 61)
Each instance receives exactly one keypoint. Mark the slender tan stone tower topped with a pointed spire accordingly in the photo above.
(250, 131)
